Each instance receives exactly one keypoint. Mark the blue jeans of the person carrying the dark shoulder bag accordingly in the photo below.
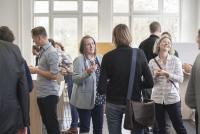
(114, 114)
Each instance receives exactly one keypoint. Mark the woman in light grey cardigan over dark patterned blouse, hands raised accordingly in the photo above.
(88, 101)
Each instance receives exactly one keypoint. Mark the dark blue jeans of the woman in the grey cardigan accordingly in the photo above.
(97, 119)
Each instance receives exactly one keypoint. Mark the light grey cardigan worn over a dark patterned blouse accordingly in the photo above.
(84, 87)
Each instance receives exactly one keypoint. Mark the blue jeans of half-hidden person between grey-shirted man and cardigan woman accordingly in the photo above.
(74, 113)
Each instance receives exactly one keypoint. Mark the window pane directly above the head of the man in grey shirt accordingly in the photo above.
(42, 21)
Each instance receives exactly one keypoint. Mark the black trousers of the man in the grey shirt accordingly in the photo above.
(48, 111)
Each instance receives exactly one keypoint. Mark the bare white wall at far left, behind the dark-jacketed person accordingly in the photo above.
(17, 15)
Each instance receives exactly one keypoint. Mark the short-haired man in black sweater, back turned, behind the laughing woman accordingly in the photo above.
(148, 44)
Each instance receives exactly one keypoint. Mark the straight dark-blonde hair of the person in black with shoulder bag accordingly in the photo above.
(121, 35)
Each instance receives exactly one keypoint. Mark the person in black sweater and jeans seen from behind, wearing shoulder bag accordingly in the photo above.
(114, 77)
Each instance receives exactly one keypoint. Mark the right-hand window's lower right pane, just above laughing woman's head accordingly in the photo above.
(171, 24)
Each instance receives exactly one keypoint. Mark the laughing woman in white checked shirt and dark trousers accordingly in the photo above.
(167, 72)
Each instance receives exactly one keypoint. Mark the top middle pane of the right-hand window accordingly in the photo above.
(145, 5)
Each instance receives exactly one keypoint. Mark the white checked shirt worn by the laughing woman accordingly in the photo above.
(164, 92)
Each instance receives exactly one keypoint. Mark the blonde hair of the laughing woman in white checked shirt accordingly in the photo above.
(157, 45)
